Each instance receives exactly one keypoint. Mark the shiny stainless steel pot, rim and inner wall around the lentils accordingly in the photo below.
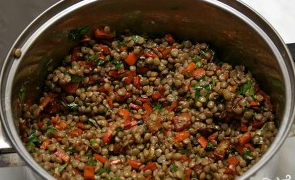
(237, 34)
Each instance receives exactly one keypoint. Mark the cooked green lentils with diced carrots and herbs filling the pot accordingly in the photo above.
(140, 108)
